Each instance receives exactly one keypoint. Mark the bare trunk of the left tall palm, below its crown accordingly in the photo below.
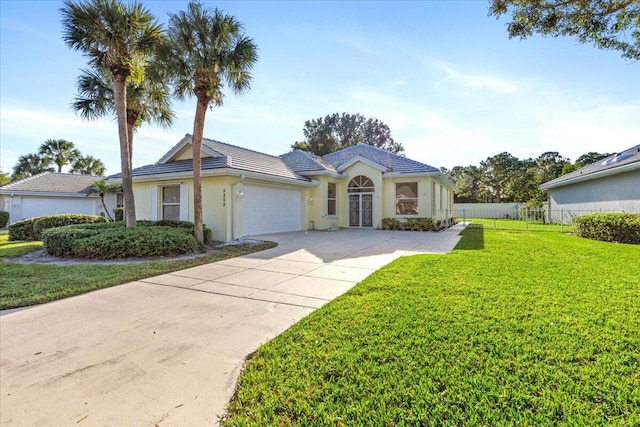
(119, 98)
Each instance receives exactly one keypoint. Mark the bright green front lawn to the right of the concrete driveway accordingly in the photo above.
(510, 329)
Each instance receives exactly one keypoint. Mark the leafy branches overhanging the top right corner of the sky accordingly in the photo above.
(609, 24)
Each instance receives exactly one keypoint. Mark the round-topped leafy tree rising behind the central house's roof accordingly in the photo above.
(337, 131)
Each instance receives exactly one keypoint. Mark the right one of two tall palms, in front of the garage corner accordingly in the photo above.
(205, 50)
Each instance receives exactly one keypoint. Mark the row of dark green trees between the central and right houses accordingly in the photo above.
(505, 178)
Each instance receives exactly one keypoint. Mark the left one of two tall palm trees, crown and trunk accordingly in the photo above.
(114, 36)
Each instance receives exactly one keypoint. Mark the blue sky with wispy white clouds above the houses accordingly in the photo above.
(442, 74)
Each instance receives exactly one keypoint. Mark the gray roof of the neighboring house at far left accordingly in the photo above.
(49, 182)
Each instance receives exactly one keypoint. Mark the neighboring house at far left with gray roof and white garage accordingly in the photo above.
(52, 193)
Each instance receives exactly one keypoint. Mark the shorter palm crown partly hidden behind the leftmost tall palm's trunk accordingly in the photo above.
(147, 99)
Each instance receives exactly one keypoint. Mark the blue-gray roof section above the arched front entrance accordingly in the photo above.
(393, 162)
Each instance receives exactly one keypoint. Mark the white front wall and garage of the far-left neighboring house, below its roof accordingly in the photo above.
(23, 207)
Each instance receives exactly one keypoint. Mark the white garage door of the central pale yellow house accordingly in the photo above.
(270, 210)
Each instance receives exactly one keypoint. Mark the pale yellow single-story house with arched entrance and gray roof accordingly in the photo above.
(246, 192)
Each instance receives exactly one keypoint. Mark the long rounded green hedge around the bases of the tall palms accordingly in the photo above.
(107, 241)
